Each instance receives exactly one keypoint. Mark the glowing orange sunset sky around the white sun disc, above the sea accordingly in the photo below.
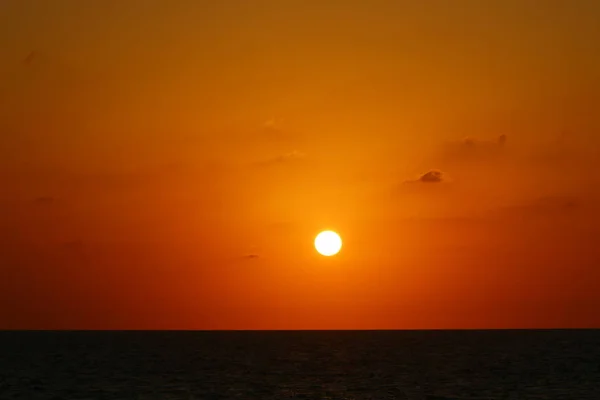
(167, 164)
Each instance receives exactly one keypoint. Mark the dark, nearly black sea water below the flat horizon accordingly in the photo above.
(305, 365)
